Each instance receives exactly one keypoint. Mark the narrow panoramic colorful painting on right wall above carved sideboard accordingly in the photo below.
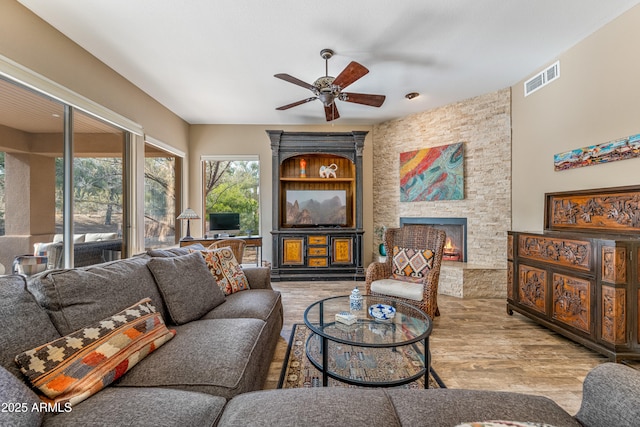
(612, 151)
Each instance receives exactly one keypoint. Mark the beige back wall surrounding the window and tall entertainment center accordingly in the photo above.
(253, 140)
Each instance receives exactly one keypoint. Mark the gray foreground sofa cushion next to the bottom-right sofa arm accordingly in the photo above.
(448, 407)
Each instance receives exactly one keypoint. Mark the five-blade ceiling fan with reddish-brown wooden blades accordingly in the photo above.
(327, 89)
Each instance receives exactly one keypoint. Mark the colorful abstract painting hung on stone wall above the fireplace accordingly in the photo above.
(435, 173)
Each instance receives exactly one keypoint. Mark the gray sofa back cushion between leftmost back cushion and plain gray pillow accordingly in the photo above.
(78, 297)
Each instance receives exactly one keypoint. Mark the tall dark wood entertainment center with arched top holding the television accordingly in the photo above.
(307, 251)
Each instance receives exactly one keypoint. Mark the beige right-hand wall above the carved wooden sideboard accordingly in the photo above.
(595, 100)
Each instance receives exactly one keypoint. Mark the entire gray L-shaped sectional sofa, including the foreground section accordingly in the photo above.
(212, 370)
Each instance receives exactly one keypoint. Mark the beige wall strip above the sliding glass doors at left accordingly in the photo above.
(32, 43)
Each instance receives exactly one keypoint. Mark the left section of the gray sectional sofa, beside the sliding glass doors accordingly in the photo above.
(222, 352)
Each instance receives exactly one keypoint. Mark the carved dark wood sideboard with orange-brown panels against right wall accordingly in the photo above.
(580, 277)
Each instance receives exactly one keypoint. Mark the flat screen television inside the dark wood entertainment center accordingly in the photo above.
(316, 208)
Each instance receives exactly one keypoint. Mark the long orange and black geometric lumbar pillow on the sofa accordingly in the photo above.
(74, 367)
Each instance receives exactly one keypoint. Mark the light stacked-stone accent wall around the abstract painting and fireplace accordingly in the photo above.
(483, 125)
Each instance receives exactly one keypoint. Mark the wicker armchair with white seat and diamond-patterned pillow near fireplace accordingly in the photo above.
(412, 268)
